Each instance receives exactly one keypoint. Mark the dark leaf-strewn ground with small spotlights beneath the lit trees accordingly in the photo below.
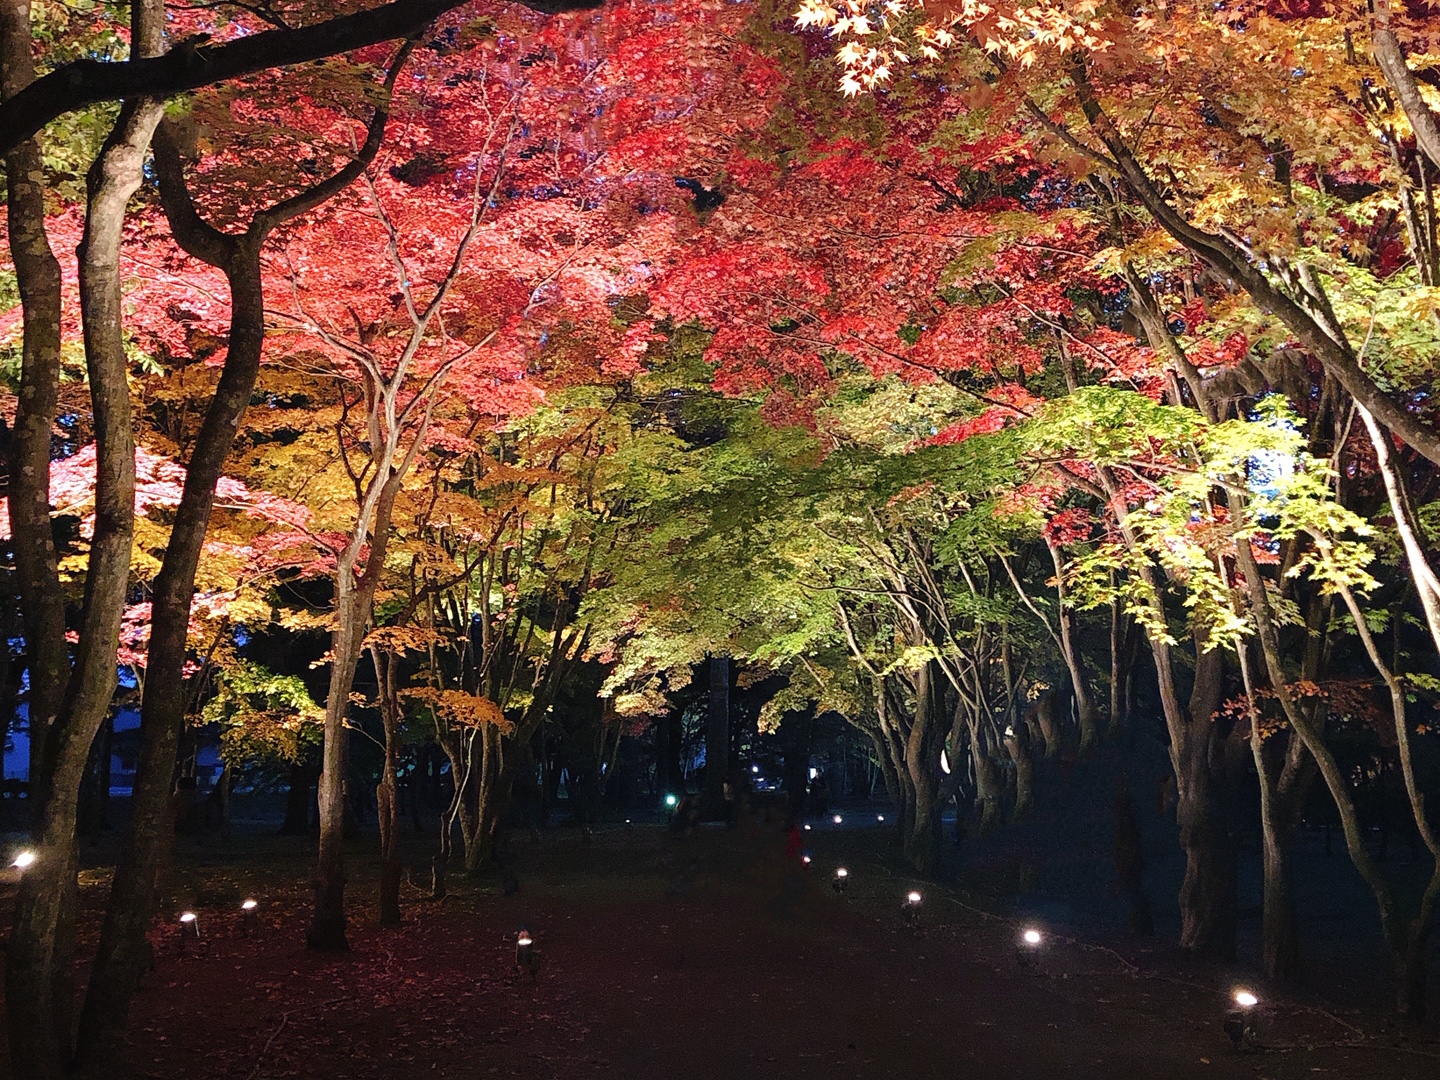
(709, 955)
